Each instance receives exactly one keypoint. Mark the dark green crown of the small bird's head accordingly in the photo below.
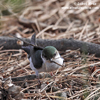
(49, 52)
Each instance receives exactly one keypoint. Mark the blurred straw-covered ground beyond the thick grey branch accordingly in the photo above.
(51, 19)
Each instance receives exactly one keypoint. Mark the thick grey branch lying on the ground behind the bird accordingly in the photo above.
(61, 45)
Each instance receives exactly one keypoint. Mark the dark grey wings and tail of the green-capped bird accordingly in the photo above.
(34, 52)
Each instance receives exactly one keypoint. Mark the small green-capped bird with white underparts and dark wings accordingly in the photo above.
(45, 59)
